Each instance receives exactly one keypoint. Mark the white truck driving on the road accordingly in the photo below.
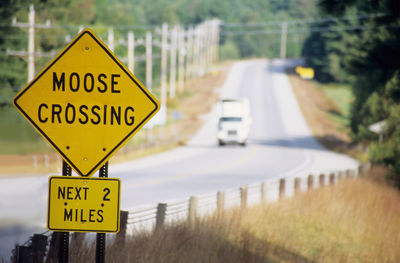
(233, 121)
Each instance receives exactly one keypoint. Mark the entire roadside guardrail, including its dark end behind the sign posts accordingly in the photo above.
(189, 210)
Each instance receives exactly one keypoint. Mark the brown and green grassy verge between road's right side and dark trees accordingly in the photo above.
(326, 108)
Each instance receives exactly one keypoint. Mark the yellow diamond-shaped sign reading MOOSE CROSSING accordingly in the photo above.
(86, 103)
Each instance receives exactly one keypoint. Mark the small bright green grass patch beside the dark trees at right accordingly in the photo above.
(342, 96)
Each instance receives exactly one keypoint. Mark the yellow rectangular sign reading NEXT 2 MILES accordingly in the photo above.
(80, 204)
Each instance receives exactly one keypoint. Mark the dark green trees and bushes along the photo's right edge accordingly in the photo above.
(365, 55)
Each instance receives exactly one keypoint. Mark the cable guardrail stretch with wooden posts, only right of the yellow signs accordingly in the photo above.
(267, 191)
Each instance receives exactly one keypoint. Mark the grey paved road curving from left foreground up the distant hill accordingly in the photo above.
(280, 145)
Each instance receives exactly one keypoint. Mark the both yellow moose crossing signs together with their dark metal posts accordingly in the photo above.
(87, 105)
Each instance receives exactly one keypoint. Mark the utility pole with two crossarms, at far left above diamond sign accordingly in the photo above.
(31, 42)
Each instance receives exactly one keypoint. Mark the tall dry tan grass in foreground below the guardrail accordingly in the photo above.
(355, 221)
